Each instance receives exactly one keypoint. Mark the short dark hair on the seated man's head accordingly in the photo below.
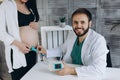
(83, 11)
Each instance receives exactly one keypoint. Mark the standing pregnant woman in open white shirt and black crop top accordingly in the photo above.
(18, 31)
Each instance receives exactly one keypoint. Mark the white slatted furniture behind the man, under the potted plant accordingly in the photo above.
(53, 36)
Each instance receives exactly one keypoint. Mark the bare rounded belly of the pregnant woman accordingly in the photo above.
(29, 36)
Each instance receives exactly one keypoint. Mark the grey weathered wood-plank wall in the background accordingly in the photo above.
(106, 21)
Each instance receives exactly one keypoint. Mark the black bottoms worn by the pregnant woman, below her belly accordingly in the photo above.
(31, 59)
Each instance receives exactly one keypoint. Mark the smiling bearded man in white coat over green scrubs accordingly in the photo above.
(83, 46)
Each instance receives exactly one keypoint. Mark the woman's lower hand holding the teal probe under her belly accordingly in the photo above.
(23, 47)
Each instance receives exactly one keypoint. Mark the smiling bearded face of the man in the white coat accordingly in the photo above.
(80, 24)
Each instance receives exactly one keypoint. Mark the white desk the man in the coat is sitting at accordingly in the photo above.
(40, 72)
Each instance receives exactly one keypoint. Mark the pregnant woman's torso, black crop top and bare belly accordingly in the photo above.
(27, 34)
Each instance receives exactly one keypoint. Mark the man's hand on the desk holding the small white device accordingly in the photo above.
(67, 70)
